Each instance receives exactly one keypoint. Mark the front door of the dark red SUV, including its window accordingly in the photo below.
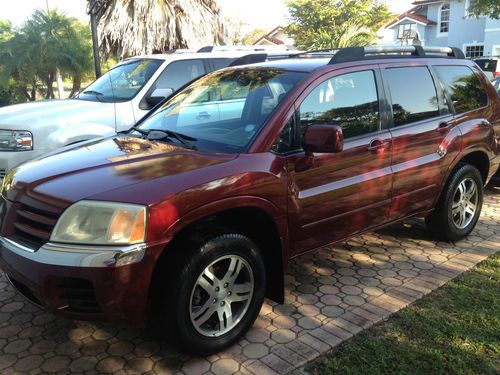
(332, 196)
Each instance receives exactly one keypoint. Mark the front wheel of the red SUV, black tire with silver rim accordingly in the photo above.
(217, 292)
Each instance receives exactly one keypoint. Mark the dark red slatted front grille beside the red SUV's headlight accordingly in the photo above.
(33, 227)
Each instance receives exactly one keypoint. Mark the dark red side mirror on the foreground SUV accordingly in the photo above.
(323, 138)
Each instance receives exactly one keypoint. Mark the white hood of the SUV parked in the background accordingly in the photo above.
(28, 116)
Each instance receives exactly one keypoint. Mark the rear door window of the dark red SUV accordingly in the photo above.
(414, 96)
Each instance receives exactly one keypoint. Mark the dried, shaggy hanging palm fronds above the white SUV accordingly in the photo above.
(137, 27)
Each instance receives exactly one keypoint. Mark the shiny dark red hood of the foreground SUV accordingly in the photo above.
(104, 169)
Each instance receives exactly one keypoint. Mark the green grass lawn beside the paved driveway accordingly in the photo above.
(453, 330)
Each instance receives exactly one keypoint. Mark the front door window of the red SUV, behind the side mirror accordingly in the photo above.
(349, 100)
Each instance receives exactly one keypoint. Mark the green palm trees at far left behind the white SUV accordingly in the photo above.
(47, 42)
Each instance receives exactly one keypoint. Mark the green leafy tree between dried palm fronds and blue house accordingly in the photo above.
(319, 24)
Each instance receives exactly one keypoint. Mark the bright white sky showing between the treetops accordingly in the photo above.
(265, 14)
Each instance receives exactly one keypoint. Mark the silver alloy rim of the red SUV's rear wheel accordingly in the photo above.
(464, 204)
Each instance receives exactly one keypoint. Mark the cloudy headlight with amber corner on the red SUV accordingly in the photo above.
(101, 223)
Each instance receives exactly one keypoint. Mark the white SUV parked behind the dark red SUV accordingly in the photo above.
(112, 103)
